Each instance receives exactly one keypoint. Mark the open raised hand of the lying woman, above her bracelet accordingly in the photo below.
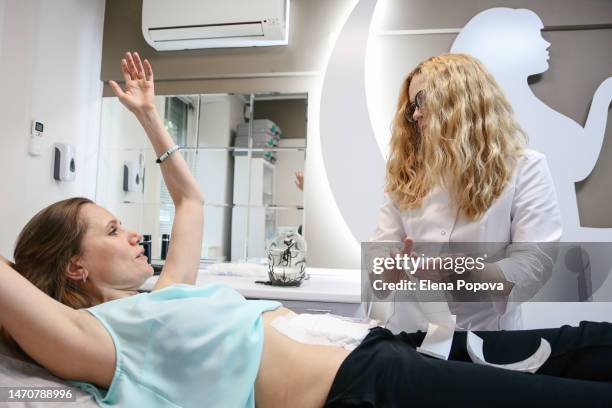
(139, 94)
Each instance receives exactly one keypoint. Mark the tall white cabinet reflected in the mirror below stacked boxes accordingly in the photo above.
(251, 211)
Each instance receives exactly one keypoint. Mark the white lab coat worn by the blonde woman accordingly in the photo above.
(526, 211)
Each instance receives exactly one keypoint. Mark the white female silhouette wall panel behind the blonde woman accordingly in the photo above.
(509, 42)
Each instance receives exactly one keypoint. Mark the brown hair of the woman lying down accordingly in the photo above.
(44, 248)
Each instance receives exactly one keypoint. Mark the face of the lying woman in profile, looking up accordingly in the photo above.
(111, 253)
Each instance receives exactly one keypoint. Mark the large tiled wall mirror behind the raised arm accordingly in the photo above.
(244, 150)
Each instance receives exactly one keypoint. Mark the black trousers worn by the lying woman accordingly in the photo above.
(386, 371)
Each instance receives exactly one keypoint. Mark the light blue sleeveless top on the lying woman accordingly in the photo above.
(183, 346)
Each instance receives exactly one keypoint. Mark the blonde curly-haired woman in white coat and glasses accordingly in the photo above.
(459, 171)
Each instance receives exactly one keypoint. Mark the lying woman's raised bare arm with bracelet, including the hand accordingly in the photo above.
(183, 257)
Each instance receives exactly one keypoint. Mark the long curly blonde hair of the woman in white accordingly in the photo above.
(470, 144)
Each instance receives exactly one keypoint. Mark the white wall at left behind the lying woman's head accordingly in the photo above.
(50, 53)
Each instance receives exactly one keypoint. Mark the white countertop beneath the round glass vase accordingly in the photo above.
(324, 285)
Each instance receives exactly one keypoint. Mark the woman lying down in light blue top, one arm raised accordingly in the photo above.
(70, 301)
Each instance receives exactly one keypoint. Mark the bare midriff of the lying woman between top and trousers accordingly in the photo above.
(294, 374)
